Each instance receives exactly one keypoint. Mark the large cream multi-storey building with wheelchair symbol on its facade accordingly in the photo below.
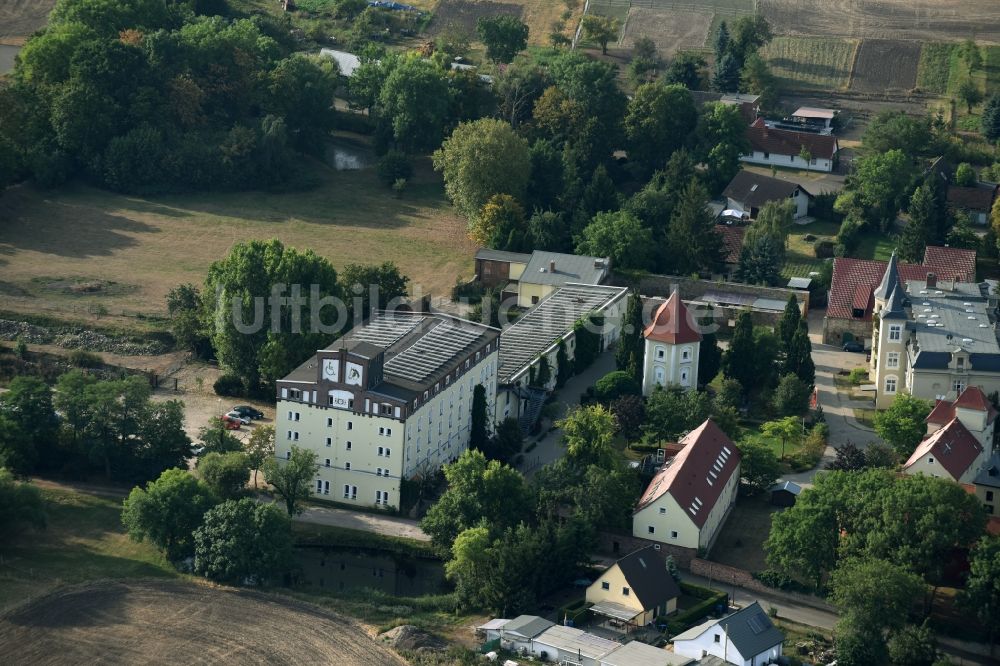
(391, 400)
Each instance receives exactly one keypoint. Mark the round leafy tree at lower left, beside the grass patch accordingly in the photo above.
(167, 512)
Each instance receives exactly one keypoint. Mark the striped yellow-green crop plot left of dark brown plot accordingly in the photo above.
(811, 62)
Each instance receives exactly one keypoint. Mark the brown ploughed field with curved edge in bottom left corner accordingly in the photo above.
(157, 622)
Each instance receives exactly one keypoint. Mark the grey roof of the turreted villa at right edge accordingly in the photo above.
(952, 317)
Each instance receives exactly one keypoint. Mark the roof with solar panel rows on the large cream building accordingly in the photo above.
(418, 348)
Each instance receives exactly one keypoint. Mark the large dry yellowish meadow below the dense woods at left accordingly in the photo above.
(78, 252)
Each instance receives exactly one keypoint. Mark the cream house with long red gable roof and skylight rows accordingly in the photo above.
(688, 500)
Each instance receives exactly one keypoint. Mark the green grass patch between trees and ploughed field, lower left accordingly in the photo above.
(84, 540)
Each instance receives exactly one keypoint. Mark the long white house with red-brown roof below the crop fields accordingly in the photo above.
(772, 146)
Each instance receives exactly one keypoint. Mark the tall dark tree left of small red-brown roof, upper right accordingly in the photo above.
(695, 247)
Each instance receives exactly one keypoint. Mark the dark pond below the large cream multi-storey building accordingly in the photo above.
(341, 569)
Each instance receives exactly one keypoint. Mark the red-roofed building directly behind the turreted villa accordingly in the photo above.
(852, 290)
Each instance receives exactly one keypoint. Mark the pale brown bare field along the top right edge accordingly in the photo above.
(924, 20)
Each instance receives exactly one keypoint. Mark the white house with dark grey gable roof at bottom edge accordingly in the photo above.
(745, 638)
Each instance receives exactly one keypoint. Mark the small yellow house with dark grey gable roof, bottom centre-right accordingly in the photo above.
(635, 590)
